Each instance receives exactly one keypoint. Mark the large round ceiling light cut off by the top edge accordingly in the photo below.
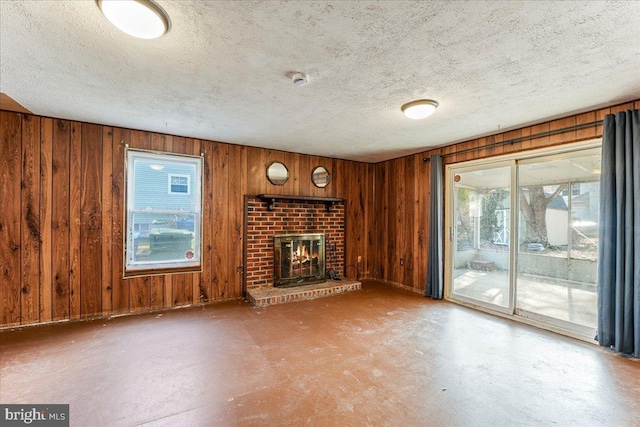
(138, 18)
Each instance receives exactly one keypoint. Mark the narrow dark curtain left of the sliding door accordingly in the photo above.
(435, 267)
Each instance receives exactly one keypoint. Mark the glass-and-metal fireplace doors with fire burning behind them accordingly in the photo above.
(298, 259)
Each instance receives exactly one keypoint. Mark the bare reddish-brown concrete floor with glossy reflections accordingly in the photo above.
(379, 356)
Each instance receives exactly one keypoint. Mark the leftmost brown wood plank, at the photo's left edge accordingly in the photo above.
(10, 156)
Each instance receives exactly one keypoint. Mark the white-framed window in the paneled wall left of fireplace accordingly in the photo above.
(162, 233)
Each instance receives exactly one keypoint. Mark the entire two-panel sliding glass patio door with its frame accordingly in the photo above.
(523, 237)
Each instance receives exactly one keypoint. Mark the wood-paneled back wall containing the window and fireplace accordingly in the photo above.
(62, 210)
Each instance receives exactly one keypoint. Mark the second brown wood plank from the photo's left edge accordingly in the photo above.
(30, 215)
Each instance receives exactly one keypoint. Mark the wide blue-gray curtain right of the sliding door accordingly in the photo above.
(619, 235)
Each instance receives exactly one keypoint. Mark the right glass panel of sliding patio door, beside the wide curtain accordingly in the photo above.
(558, 199)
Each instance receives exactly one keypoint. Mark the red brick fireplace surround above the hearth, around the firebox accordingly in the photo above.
(268, 216)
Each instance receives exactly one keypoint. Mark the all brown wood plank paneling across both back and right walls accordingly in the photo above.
(61, 239)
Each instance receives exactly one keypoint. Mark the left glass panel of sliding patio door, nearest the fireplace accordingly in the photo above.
(480, 236)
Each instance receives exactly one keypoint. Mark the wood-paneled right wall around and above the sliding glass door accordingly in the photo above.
(402, 192)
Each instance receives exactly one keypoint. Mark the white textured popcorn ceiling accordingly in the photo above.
(220, 73)
